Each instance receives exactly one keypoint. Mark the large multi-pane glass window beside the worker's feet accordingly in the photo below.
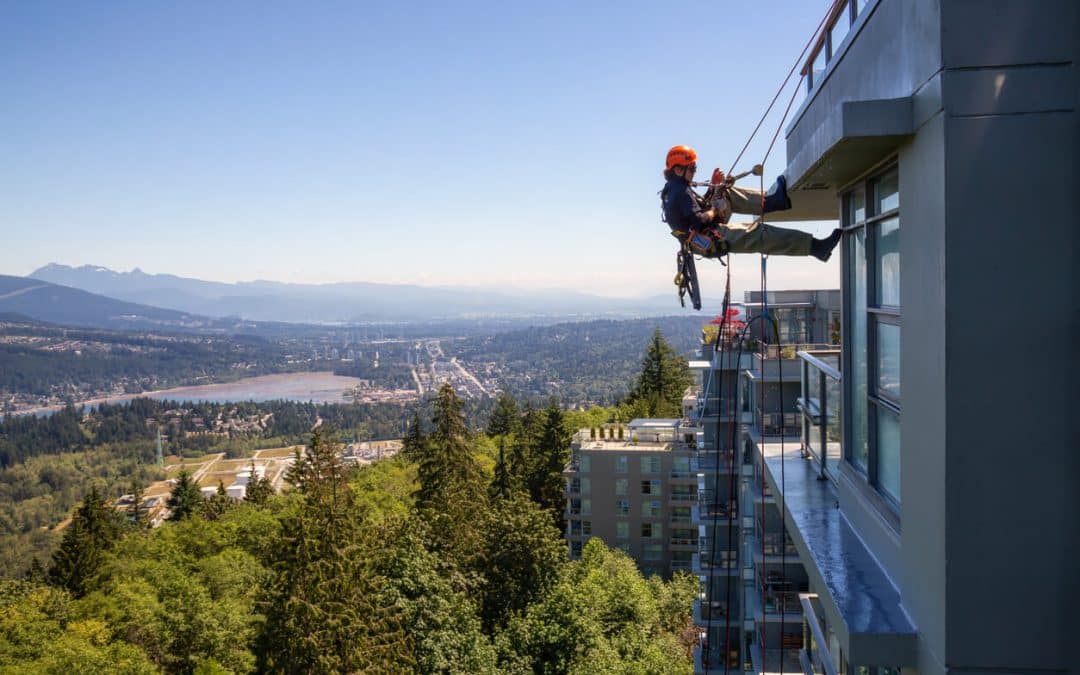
(872, 347)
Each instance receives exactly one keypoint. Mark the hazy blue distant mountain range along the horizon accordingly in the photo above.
(358, 302)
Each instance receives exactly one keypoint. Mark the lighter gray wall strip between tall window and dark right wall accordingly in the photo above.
(922, 559)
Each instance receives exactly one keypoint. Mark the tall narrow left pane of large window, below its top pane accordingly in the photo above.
(857, 309)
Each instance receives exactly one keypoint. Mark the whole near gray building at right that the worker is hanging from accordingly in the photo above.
(930, 501)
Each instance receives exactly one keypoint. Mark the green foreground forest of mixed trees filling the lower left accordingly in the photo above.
(445, 559)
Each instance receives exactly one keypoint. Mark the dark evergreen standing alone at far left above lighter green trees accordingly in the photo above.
(93, 531)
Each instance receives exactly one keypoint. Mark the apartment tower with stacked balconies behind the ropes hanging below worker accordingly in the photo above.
(750, 574)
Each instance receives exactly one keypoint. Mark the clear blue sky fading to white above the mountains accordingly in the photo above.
(467, 144)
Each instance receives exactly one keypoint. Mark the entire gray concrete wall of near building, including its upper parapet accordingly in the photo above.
(988, 555)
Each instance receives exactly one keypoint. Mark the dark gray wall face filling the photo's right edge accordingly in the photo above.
(1010, 240)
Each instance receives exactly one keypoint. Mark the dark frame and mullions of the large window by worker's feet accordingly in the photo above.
(876, 315)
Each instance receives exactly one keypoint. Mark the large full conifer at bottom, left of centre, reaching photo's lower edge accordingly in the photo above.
(328, 611)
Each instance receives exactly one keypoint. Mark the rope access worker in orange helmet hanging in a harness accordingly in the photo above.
(705, 226)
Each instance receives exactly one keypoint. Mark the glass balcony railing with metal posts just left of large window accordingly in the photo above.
(820, 407)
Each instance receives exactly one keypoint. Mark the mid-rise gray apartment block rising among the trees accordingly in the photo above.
(636, 488)
